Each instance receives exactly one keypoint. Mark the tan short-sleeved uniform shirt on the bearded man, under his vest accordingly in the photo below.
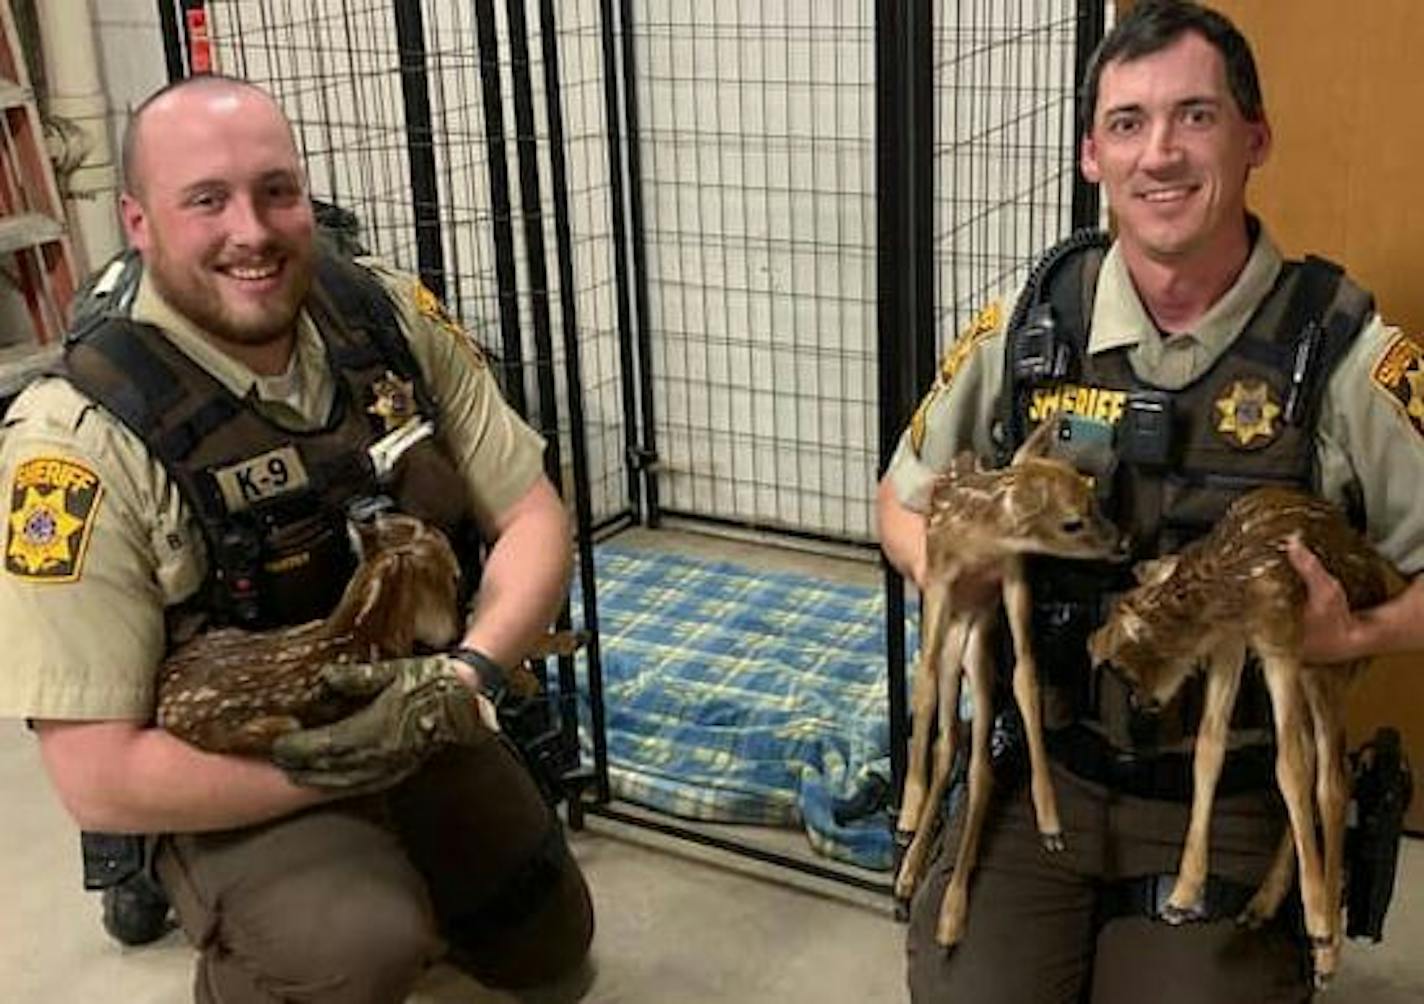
(99, 542)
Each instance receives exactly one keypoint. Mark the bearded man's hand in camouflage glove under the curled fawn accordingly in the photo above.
(419, 706)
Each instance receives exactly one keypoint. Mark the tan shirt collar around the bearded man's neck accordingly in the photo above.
(301, 389)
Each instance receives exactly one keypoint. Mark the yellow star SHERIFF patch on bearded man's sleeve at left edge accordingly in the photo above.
(52, 513)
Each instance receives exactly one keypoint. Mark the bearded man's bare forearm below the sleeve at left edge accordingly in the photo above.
(126, 778)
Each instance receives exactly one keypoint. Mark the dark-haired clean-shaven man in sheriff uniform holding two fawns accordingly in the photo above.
(1214, 367)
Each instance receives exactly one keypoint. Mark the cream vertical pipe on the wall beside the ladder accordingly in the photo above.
(78, 110)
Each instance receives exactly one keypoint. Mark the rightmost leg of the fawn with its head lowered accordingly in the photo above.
(1325, 694)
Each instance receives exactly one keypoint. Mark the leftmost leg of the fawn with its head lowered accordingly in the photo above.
(1224, 676)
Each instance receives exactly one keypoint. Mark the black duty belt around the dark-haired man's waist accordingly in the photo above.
(1163, 777)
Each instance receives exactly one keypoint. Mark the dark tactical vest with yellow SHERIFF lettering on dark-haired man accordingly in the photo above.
(1181, 458)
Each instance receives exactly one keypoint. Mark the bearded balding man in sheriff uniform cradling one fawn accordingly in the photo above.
(194, 465)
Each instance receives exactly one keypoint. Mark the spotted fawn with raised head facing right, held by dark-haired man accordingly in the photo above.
(988, 521)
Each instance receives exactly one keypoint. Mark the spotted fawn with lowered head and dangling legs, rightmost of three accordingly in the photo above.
(1230, 592)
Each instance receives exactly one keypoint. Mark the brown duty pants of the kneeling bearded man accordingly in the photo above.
(351, 902)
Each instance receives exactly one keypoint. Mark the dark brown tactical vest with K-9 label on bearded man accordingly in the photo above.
(273, 502)
